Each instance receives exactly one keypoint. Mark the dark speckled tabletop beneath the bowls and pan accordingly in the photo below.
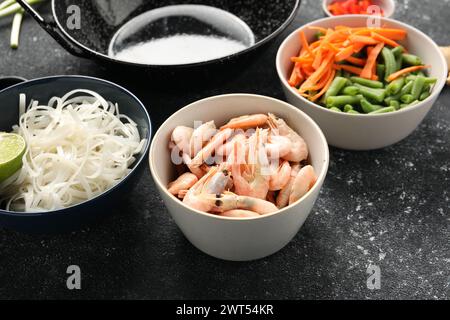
(389, 207)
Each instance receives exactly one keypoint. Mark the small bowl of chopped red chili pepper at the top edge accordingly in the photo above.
(384, 8)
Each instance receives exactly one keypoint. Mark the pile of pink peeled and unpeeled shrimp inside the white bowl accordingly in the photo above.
(252, 166)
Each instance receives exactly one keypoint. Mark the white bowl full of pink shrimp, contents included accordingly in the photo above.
(233, 210)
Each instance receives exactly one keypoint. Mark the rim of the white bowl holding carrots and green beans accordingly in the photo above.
(436, 90)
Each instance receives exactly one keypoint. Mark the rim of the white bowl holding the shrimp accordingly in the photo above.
(320, 179)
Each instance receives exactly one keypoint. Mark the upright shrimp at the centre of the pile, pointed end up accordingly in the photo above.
(250, 181)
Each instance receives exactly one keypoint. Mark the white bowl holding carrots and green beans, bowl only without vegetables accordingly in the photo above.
(364, 132)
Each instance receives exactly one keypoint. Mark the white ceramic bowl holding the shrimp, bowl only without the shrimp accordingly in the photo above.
(230, 238)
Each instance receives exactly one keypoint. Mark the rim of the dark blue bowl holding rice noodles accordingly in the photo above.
(110, 190)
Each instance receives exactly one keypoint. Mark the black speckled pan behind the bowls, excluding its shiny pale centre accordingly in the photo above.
(101, 19)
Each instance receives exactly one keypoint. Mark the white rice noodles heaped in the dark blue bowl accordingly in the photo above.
(78, 146)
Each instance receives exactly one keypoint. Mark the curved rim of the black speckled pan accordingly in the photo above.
(106, 57)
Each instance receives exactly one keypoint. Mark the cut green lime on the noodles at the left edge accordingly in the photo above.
(12, 148)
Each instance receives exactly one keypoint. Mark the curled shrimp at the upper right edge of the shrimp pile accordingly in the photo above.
(299, 149)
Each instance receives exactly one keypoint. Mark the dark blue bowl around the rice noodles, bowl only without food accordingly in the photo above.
(88, 212)
